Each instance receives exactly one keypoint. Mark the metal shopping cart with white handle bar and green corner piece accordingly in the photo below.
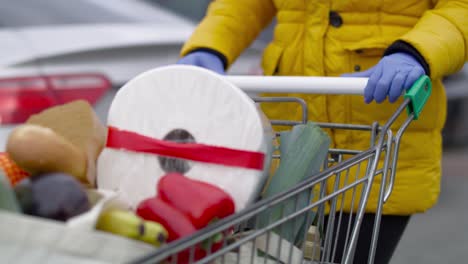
(353, 172)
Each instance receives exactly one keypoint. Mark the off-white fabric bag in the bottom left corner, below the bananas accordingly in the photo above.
(28, 239)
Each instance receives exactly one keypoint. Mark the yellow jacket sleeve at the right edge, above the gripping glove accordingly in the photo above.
(441, 37)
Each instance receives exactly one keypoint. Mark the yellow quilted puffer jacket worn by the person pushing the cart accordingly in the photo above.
(331, 37)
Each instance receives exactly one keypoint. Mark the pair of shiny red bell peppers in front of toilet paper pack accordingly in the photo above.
(184, 206)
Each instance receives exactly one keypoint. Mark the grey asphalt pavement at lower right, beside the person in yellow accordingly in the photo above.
(441, 235)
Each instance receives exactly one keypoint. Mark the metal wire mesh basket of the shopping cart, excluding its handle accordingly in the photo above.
(345, 181)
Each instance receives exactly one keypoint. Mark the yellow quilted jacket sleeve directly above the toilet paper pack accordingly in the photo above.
(230, 26)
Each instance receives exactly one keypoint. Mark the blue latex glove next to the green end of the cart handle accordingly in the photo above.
(393, 74)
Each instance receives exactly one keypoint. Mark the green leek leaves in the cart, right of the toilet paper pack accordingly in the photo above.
(303, 152)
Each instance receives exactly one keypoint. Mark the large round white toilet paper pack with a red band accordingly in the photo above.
(191, 103)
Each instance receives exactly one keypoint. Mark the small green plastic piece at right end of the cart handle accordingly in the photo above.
(418, 94)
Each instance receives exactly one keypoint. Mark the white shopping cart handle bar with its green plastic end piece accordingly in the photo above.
(418, 94)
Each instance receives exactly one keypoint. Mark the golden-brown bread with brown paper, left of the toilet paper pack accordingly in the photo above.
(66, 138)
